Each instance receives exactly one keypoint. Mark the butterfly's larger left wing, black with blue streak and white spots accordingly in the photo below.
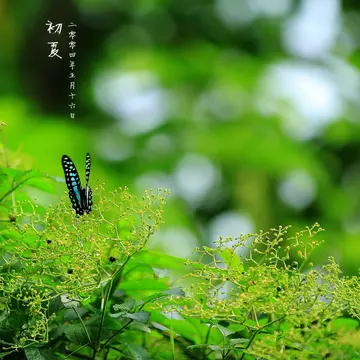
(73, 184)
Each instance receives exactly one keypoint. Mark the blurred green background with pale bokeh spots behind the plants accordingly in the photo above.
(248, 110)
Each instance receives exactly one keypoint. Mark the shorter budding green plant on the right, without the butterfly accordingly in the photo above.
(255, 293)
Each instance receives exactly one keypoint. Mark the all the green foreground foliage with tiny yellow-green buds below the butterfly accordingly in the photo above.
(88, 287)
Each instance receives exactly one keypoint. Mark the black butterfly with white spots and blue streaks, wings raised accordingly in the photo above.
(81, 199)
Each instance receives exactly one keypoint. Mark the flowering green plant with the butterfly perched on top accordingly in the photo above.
(60, 274)
